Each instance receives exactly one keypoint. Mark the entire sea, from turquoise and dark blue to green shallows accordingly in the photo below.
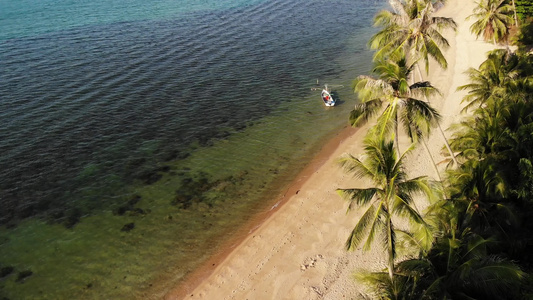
(136, 137)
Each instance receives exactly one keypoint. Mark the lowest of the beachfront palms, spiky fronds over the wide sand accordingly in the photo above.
(392, 194)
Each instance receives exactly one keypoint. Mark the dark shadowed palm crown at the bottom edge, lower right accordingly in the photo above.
(460, 268)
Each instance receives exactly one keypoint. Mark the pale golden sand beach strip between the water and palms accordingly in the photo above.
(298, 251)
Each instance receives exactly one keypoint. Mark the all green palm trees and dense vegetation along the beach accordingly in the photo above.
(474, 240)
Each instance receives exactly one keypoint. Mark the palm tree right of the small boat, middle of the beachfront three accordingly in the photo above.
(391, 89)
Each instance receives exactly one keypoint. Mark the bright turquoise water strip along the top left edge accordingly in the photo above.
(30, 17)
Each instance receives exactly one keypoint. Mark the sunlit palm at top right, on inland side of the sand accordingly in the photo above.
(492, 20)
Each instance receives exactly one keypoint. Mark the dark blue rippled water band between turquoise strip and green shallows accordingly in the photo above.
(95, 95)
